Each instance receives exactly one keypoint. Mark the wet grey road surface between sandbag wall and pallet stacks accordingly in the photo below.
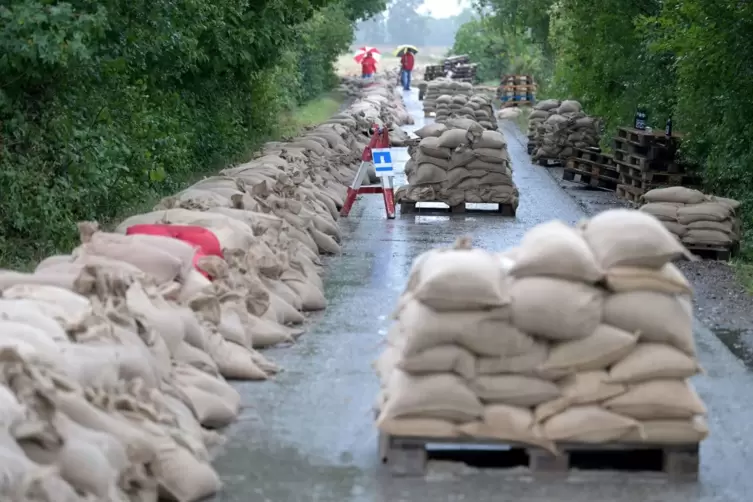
(308, 435)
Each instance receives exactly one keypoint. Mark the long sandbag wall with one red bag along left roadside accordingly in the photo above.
(115, 358)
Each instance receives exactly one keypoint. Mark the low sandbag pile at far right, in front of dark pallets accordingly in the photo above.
(698, 220)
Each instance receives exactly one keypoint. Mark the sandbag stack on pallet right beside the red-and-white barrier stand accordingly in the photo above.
(458, 162)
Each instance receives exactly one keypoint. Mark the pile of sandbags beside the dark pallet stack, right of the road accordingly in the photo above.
(556, 128)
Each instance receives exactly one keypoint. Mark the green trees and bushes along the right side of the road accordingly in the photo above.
(684, 59)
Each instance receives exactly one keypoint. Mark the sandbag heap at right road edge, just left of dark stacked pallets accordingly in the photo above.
(565, 130)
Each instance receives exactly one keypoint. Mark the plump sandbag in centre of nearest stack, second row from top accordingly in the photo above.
(556, 309)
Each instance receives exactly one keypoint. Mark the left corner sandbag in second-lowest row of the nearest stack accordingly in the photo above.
(441, 396)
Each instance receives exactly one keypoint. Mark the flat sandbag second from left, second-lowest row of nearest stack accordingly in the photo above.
(514, 390)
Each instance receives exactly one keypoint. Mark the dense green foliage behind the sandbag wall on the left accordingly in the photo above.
(107, 105)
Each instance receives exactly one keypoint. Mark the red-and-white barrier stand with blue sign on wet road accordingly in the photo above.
(377, 152)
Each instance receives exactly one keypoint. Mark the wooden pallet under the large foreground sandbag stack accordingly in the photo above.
(408, 456)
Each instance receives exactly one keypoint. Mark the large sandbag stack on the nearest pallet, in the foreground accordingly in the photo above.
(579, 335)
